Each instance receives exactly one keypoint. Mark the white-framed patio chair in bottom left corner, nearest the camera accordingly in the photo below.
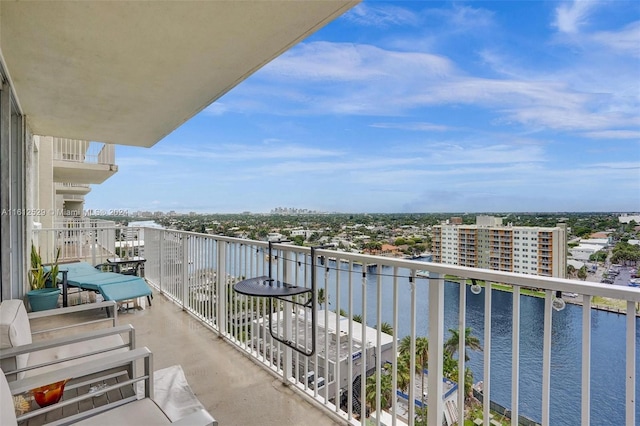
(83, 406)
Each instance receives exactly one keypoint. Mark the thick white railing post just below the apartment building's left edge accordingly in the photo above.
(436, 340)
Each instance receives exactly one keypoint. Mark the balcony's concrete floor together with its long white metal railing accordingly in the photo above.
(539, 363)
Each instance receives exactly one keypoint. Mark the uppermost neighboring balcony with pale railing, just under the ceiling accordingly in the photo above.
(83, 162)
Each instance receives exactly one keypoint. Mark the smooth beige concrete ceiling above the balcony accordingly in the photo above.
(131, 72)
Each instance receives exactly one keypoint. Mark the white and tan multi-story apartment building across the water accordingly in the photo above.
(490, 245)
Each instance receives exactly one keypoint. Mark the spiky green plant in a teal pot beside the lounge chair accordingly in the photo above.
(42, 296)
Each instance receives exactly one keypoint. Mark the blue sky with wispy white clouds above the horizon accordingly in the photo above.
(416, 107)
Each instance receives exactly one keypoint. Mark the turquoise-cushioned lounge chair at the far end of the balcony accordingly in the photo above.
(111, 285)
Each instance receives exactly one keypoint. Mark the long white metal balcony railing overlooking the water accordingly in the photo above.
(197, 271)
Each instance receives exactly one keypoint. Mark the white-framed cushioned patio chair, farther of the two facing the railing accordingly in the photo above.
(20, 356)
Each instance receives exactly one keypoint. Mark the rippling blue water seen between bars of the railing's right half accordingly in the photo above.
(607, 353)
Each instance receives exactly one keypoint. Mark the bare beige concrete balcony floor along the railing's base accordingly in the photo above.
(234, 389)
